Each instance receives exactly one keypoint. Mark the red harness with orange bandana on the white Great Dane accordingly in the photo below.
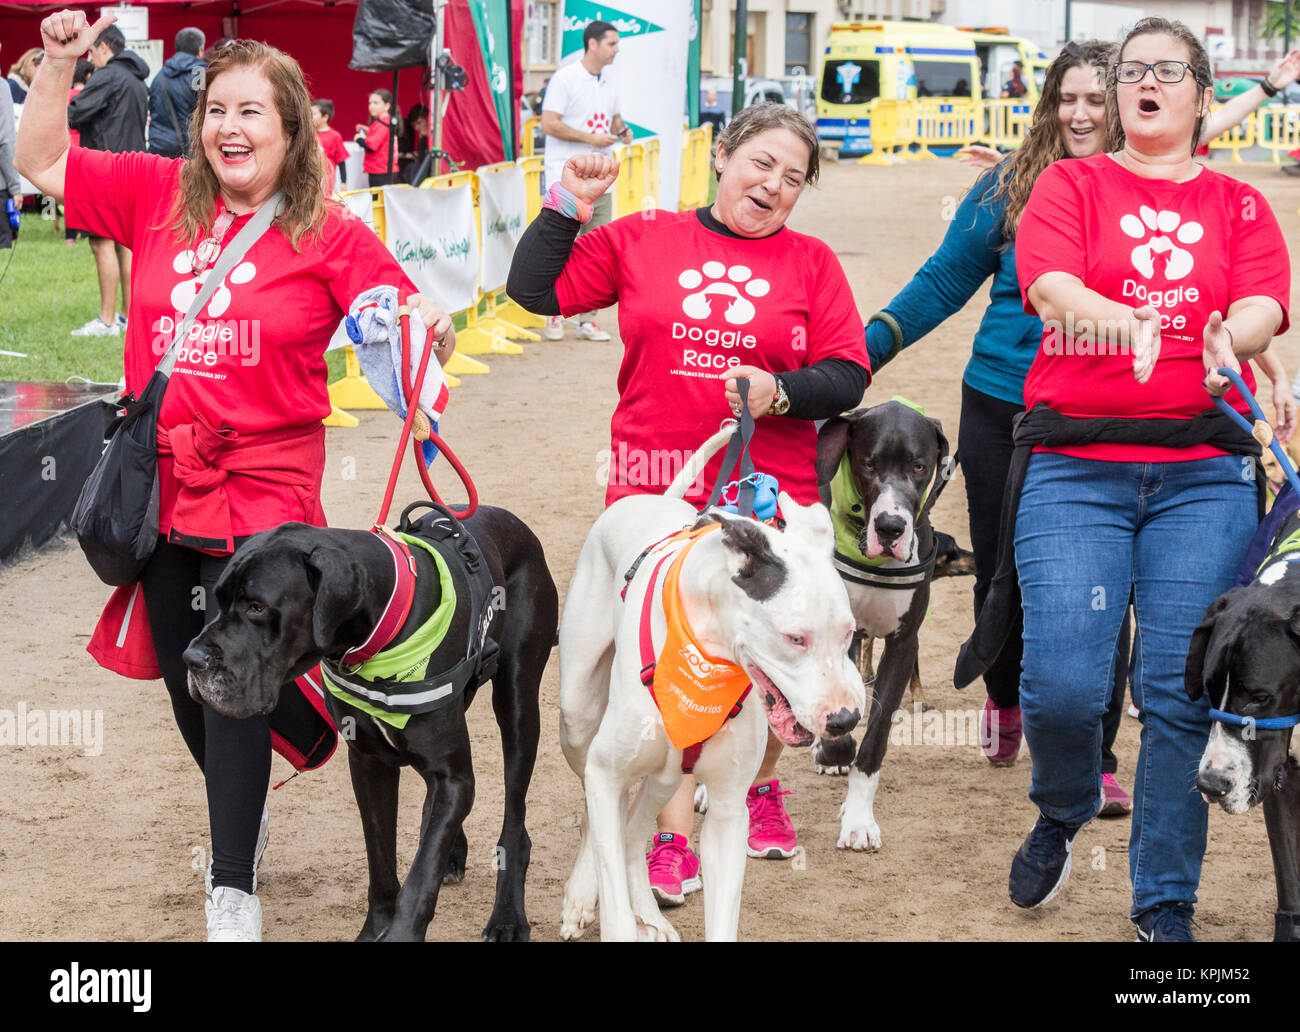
(696, 693)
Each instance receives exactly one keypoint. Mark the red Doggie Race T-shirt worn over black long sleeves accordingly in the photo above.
(692, 303)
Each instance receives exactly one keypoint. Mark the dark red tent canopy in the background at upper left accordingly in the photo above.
(320, 37)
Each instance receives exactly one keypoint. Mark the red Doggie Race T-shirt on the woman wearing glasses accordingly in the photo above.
(1185, 249)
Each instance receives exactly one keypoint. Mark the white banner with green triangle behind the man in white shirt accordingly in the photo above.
(651, 72)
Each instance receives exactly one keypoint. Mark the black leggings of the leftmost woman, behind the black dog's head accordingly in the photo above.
(235, 756)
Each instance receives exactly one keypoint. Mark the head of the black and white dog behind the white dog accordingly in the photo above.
(895, 456)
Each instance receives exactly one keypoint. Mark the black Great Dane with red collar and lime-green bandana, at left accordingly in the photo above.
(298, 595)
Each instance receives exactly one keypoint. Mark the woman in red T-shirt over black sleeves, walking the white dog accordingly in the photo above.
(707, 297)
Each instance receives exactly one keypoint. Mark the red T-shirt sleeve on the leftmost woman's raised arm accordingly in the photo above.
(114, 194)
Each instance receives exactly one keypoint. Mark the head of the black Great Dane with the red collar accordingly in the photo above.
(288, 599)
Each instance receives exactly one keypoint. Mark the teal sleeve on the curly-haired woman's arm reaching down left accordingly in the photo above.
(968, 257)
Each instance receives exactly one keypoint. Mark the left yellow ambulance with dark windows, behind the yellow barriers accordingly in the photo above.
(891, 60)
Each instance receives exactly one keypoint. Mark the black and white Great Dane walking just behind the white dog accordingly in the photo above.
(898, 461)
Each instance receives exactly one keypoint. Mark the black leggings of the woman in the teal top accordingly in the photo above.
(985, 453)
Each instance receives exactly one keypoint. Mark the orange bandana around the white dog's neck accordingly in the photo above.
(695, 692)
